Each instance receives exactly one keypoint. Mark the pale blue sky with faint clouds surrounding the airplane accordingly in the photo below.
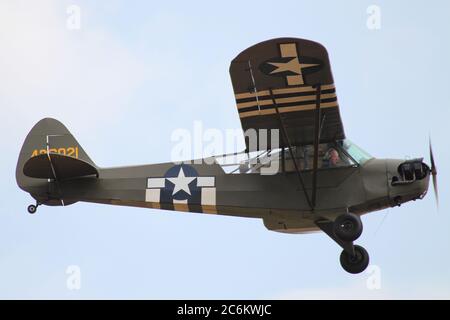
(136, 71)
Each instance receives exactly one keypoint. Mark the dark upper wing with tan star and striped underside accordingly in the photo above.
(277, 79)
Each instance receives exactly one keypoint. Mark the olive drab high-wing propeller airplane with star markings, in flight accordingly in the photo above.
(323, 181)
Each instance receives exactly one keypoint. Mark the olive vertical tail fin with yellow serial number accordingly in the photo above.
(47, 136)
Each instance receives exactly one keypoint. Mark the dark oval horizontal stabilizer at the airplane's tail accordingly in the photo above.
(58, 167)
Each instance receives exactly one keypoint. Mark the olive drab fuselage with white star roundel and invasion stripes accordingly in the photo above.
(278, 199)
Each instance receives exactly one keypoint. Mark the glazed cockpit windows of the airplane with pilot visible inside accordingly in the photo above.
(341, 153)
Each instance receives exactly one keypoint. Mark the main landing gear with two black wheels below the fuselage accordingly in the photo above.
(344, 230)
